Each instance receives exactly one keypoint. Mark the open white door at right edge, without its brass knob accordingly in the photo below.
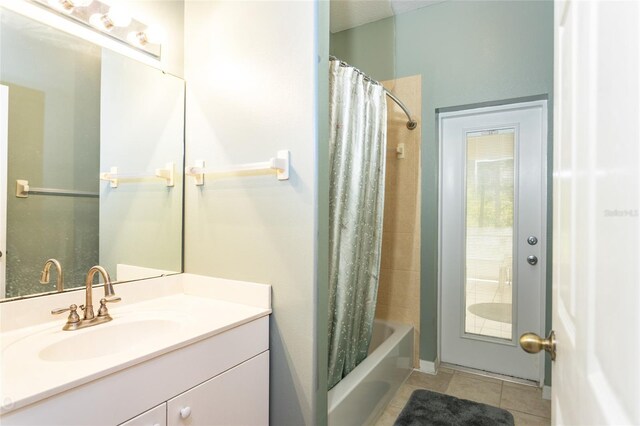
(596, 265)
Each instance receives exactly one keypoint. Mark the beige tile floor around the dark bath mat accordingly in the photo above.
(524, 402)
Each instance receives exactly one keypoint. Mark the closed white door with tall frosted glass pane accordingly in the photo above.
(492, 239)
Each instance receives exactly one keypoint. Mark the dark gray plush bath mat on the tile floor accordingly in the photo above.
(432, 408)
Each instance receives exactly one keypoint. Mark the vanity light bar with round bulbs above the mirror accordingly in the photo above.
(112, 20)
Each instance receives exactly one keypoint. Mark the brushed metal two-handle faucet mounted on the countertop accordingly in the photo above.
(73, 321)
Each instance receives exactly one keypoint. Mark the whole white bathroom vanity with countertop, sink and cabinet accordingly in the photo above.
(196, 353)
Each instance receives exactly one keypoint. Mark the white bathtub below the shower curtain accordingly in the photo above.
(359, 398)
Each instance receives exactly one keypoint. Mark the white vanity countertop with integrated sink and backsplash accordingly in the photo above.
(41, 360)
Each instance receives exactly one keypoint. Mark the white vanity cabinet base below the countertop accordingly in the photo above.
(218, 380)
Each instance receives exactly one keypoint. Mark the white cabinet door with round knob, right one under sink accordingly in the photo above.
(239, 396)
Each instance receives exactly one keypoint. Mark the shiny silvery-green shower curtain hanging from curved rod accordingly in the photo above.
(358, 132)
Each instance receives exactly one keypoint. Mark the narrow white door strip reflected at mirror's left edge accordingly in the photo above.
(4, 146)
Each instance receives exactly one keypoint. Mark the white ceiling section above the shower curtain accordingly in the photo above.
(347, 14)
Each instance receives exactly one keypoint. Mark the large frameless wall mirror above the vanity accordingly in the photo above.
(72, 113)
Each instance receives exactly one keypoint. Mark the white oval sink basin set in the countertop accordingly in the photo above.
(107, 339)
